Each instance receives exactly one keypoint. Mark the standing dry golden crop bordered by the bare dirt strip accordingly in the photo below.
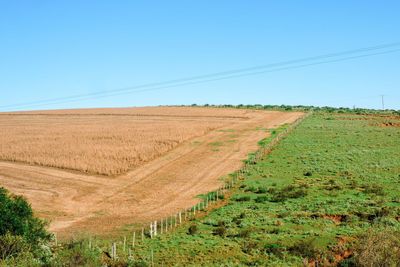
(104, 141)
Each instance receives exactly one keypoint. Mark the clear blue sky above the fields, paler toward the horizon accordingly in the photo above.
(55, 49)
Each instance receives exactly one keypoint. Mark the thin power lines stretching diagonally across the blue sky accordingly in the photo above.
(217, 76)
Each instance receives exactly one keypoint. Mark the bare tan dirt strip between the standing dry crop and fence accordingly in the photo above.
(161, 187)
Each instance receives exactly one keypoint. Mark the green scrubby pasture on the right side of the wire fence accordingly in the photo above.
(328, 193)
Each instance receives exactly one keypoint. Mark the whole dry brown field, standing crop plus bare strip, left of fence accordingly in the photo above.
(153, 161)
